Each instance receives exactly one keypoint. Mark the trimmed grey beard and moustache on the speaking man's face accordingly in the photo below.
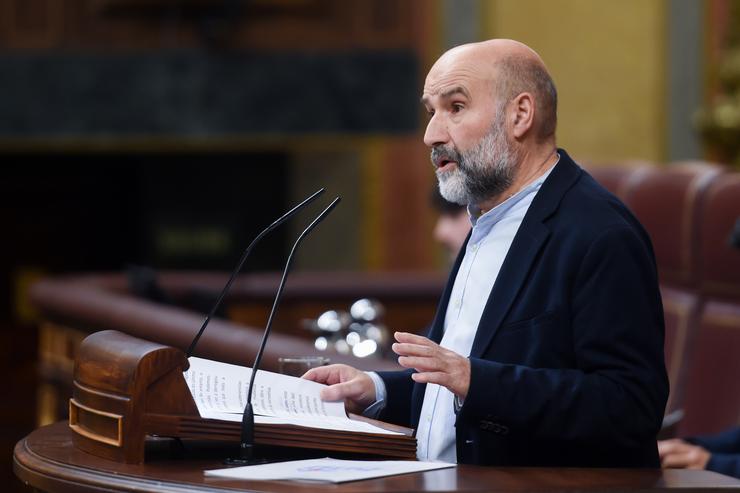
(482, 172)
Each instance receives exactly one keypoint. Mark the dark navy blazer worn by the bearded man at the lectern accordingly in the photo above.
(567, 363)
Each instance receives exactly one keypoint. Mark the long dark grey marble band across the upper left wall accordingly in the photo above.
(201, 94)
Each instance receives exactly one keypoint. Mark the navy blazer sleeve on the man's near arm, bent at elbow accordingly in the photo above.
(617, 389)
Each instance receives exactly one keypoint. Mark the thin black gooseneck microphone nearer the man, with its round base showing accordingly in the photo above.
(246, 447)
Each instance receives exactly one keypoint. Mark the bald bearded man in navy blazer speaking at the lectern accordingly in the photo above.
(547, 346)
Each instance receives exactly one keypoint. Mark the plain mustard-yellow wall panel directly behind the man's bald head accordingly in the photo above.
(608, 61)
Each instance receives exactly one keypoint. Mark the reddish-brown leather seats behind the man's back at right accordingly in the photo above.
(691, 212)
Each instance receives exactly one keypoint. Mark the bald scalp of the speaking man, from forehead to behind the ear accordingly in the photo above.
(513, 68)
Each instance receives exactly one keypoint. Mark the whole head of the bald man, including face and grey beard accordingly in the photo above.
(492, 116)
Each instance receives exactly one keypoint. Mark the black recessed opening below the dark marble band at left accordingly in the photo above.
(72, 212)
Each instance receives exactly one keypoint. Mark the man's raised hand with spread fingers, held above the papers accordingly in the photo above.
(433, 363)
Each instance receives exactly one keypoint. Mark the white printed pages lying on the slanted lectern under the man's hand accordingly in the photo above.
(220, 389)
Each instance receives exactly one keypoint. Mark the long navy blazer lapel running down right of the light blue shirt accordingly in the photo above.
(529, 240)
